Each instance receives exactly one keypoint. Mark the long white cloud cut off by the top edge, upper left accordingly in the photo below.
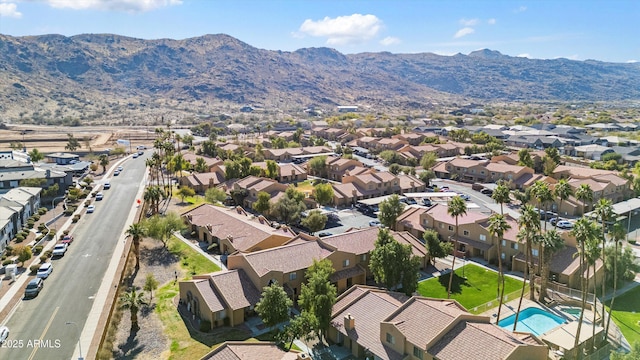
(115, 5)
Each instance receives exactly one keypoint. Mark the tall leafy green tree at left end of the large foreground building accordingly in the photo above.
(318, 295)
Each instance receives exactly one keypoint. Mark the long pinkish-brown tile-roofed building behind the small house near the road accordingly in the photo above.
(234, 229)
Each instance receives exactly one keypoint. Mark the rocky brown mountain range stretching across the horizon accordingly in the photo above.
(93, 71)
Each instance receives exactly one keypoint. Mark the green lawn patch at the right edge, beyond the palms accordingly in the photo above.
(626, 314)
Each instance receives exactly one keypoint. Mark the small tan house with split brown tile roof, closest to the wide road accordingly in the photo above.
(223, 298)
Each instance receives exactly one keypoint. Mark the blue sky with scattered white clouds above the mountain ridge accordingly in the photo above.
(542, 29)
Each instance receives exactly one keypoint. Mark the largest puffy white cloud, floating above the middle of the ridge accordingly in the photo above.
(342, 30)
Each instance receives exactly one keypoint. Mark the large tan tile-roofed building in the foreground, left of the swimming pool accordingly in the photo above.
(390, 326)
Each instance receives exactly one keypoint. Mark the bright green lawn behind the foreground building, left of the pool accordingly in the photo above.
(479, 287)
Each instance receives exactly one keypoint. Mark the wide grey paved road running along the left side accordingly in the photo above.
(38, 326)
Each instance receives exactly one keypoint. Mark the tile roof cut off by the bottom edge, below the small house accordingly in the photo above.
(249, 350)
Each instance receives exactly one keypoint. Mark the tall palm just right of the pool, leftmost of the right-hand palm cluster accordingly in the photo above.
(584, 231)
